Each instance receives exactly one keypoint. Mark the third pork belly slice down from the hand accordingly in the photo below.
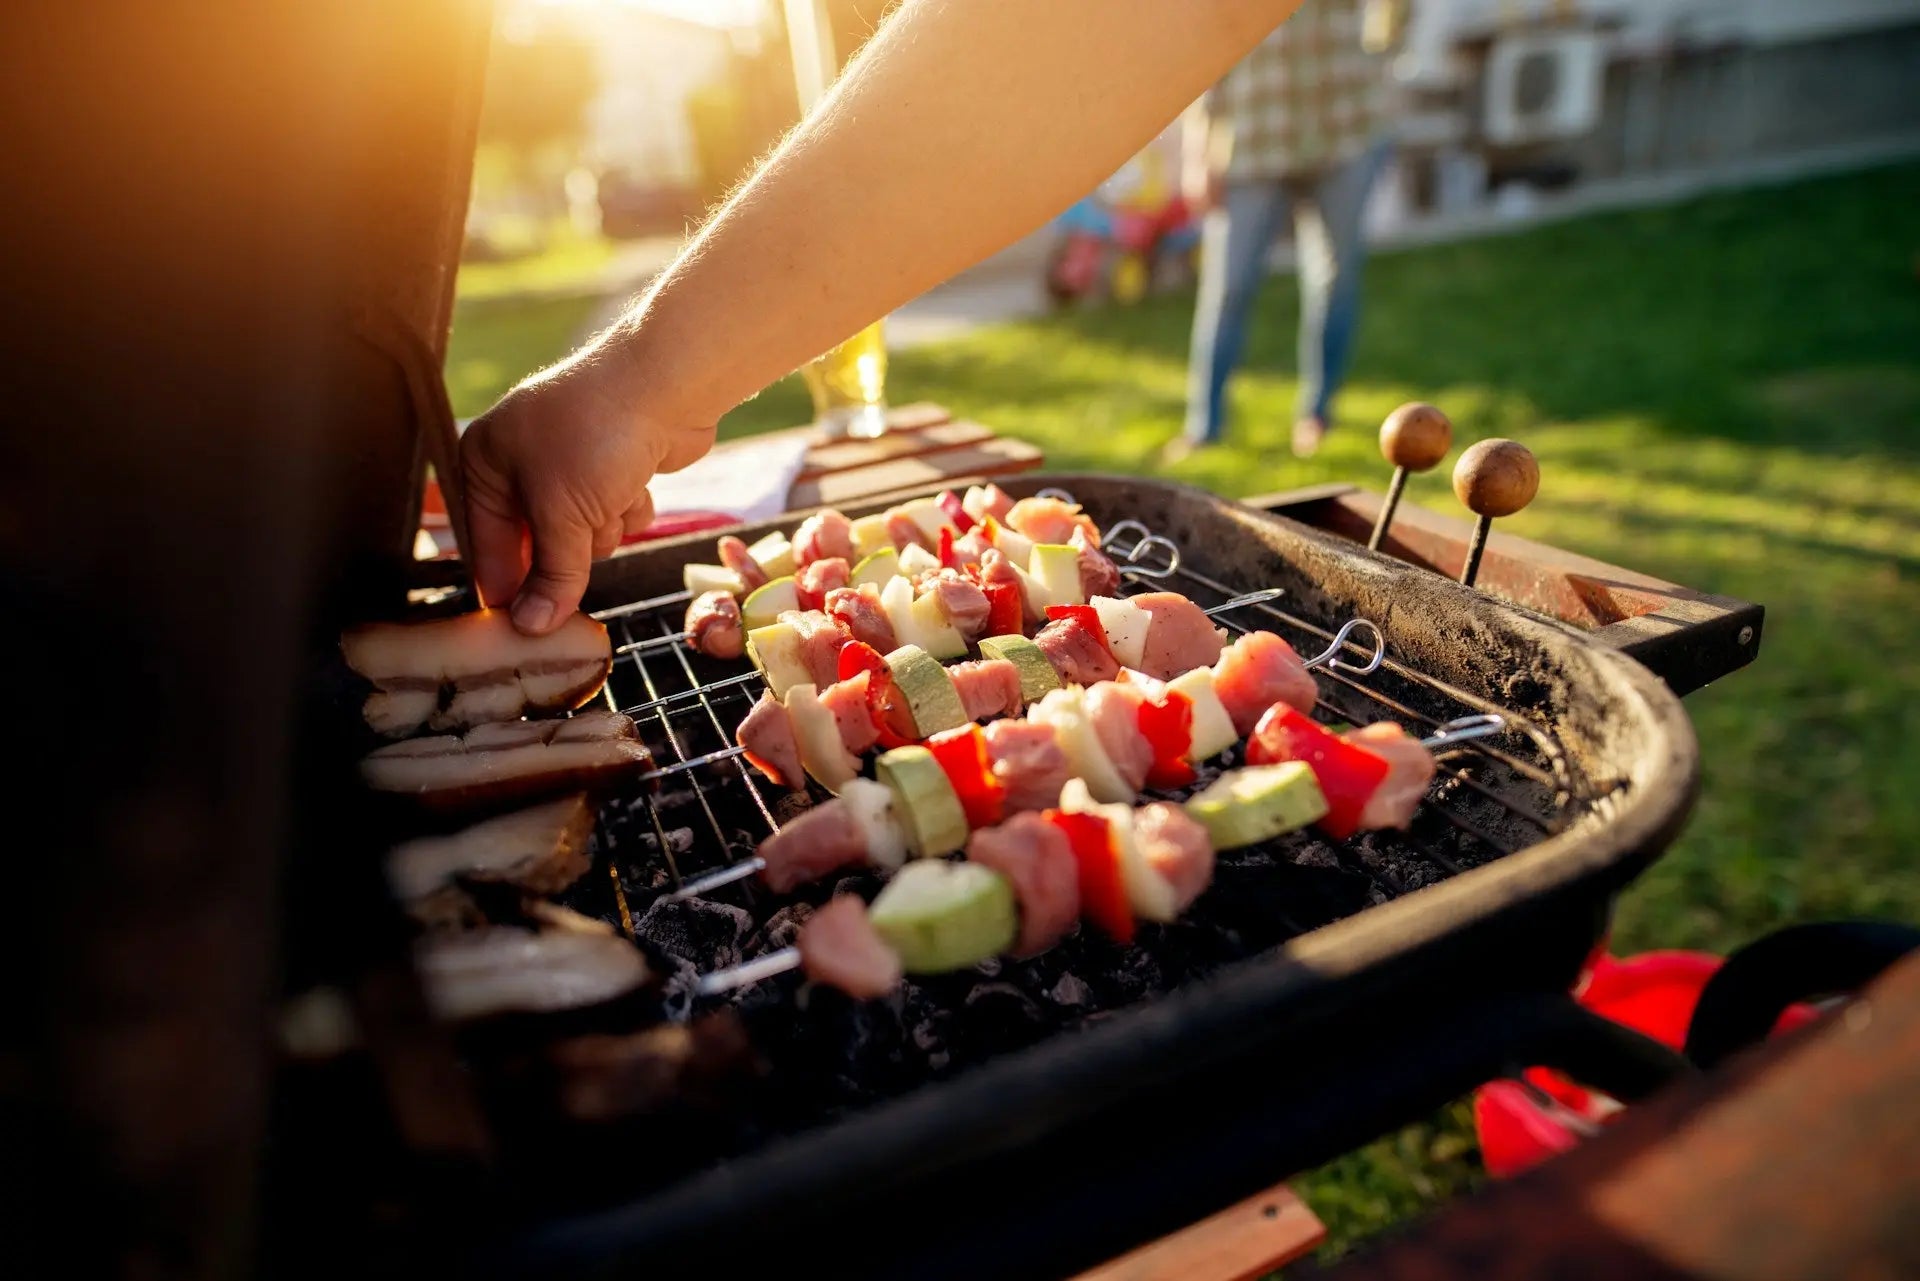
(542, 850)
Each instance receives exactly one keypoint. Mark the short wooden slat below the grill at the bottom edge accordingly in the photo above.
(1239, 1244)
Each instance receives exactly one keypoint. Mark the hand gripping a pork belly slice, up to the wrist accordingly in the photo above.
(558, 475)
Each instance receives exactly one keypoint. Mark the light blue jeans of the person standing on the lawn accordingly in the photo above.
(1234, 260)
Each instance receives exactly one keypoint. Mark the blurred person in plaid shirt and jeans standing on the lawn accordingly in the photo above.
(1301, 128)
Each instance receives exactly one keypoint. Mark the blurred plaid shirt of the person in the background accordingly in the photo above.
(1307, 99)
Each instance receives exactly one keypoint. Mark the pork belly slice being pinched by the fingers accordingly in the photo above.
(473, 669)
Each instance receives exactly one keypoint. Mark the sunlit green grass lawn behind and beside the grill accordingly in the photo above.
(1723, 393)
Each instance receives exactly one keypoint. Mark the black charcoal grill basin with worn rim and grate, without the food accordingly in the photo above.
(1320, 996)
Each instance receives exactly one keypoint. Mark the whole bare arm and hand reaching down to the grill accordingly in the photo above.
(963, 126)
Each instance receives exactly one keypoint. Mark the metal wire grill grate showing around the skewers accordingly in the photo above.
(1489, 798)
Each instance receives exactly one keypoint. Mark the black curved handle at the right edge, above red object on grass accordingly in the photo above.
(1748, 996)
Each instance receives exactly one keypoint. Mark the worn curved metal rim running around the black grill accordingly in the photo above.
(1205, 1025)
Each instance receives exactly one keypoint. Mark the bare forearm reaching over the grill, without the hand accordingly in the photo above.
(961, 128)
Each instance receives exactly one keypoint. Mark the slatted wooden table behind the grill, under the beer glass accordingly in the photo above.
(926, 447)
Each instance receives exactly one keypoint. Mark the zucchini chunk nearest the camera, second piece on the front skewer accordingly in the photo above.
(946, 915)
